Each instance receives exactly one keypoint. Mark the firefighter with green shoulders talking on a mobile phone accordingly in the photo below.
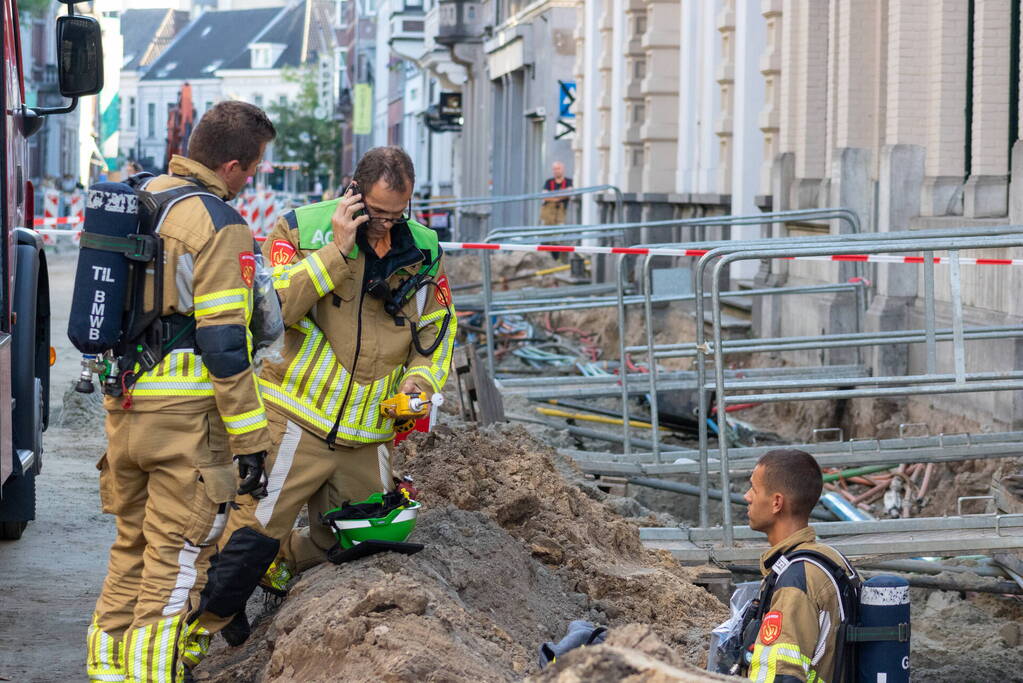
(369, 313)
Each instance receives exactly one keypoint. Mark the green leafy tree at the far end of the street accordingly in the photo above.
(314, 141)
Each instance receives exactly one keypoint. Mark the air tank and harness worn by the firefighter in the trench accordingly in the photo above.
(873, 639)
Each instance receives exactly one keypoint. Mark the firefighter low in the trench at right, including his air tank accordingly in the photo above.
(811, 619)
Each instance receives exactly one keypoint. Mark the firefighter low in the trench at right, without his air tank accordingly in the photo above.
(797, 640)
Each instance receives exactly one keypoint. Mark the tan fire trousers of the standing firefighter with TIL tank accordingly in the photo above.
(168, 478)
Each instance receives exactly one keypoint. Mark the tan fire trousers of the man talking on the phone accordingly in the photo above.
(302, 469)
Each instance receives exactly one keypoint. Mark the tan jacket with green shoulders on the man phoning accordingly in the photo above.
(343, 354)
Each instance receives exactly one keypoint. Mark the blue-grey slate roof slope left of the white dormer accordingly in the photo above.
(211, 42)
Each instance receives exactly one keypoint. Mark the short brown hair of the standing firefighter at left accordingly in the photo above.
(230, 131)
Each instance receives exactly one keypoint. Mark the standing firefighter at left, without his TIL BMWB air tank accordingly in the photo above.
(168, 473)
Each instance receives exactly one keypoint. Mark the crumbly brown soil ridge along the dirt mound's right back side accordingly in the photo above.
(504, 473)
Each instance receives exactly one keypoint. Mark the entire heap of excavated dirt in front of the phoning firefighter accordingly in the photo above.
(514, 554)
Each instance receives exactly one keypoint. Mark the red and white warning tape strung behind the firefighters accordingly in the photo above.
(559, 249)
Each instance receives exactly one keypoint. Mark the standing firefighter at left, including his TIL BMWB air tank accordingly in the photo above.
(165, 306)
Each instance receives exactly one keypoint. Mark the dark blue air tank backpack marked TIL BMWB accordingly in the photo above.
(116, 309)
